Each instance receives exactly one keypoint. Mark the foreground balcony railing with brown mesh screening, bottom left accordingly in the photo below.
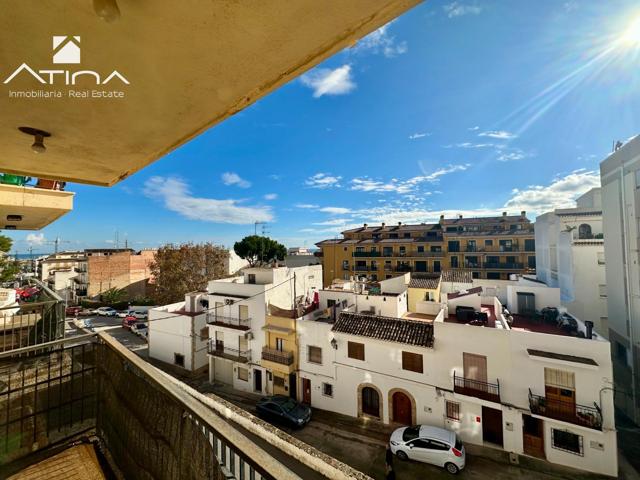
(78, 412)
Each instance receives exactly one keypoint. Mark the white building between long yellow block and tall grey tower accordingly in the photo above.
(570, 255)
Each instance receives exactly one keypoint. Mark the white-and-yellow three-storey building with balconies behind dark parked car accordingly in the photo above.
(252, 342)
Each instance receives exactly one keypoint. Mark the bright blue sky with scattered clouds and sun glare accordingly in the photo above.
(469, 107)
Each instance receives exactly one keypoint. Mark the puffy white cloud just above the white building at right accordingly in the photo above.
(560, 193)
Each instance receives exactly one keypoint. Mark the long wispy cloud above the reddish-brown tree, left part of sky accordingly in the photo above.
(175, 195)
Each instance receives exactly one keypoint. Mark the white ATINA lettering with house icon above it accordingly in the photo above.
(66, 50)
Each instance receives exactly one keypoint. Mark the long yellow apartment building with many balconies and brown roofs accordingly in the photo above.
(489, 247)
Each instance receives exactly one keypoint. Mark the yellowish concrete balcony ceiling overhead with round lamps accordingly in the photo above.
(189, 64)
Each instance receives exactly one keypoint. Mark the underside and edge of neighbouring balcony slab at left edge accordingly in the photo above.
(35, 207)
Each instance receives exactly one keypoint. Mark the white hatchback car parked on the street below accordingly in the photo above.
(427, 444)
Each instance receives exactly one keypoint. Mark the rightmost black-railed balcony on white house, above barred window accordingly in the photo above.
(583, 415)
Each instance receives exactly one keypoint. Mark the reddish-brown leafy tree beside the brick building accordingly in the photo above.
(180, 269)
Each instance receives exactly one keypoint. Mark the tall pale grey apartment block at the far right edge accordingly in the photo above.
(620, 180)
